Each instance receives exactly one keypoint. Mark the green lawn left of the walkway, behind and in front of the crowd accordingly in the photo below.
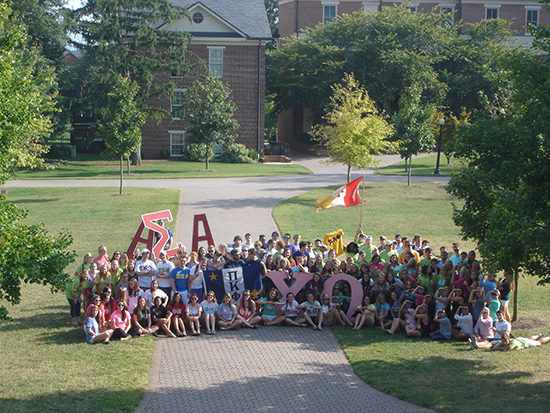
(45, 364)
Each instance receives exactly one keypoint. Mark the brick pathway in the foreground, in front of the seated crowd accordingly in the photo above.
(270, 369)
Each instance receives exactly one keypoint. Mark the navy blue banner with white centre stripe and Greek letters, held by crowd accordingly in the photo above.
(234, 281)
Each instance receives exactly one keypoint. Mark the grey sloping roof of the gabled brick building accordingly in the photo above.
(248, 16)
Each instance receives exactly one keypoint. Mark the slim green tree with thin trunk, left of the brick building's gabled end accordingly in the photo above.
(121, 122)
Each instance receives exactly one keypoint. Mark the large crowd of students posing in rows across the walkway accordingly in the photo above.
(406, 286)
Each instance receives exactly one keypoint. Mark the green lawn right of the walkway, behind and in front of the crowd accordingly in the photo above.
(442, 376)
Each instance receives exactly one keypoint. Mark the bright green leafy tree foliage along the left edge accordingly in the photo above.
(27, 253)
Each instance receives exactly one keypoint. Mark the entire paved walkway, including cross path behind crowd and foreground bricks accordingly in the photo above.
(276, 369)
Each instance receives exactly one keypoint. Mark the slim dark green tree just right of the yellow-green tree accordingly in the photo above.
(413, 125)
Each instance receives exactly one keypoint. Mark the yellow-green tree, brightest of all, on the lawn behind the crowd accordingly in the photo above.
(354, 130)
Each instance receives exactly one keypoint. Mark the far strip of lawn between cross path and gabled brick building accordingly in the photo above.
(89, 168)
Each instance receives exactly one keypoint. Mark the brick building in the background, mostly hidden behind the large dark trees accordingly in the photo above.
(296, 15)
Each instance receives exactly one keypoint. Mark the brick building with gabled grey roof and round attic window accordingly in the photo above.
(230, 36)
